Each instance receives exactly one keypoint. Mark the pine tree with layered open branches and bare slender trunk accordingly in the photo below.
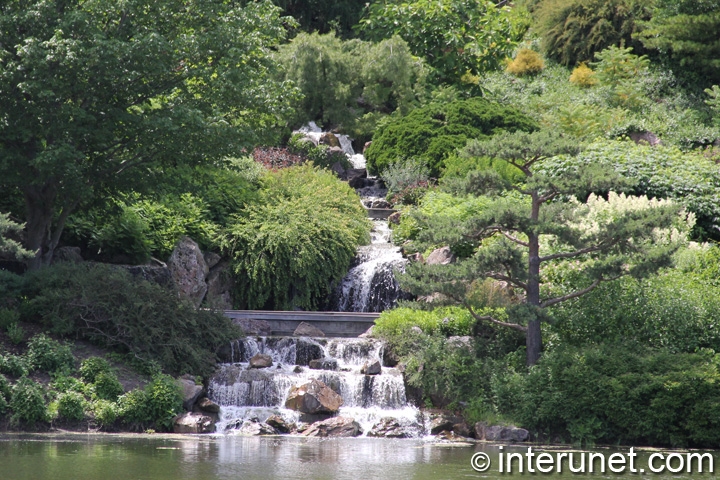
(548, 219)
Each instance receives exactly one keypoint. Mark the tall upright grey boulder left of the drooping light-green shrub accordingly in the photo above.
(189, 270)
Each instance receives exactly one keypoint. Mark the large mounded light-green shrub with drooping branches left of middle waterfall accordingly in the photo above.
(293, 246)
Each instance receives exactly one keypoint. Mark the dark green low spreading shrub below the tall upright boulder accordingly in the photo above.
(111, 308)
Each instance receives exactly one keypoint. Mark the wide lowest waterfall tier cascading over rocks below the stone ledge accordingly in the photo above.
(253, 395)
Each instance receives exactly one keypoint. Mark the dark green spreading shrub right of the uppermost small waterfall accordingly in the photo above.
(432, 133)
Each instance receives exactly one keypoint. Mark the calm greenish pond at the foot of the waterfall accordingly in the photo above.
(161, 457)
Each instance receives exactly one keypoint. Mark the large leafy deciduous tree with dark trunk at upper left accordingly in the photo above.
(93, 92)
